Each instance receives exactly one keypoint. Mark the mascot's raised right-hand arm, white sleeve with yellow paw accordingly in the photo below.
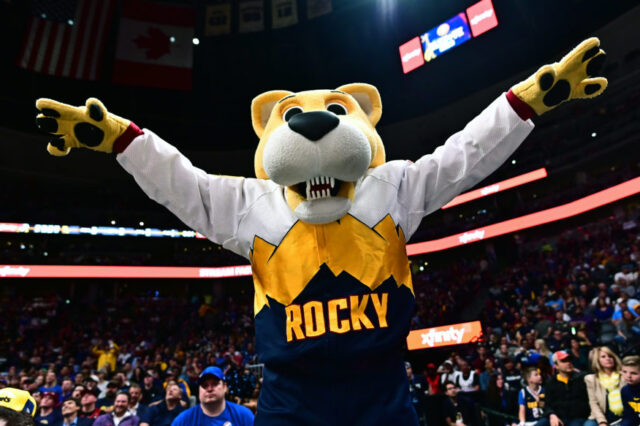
(488, 140)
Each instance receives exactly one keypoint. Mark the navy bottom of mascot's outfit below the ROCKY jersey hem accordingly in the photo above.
(369, 392)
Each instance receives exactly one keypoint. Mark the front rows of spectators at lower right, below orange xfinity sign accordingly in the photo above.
(545, 390)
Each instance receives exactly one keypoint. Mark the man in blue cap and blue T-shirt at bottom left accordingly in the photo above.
(213, 409)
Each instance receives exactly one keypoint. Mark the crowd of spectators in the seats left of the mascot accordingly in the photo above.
(151, 350)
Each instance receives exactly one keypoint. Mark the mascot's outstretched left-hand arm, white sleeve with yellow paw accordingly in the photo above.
(162, 172)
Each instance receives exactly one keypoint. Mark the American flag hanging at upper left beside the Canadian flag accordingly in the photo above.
(66, 38)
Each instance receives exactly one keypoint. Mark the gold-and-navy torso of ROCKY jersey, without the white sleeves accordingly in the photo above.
(333, 304)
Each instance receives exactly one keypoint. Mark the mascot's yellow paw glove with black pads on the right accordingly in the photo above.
(571, 78)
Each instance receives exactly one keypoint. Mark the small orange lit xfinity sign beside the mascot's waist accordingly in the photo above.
(446, 335)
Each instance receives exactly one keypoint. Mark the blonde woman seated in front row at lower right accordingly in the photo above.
(603, 387)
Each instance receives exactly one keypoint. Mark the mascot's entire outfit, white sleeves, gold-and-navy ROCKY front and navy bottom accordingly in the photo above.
(332, 302)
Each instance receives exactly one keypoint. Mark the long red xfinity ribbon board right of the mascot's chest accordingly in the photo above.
(590, 202)
